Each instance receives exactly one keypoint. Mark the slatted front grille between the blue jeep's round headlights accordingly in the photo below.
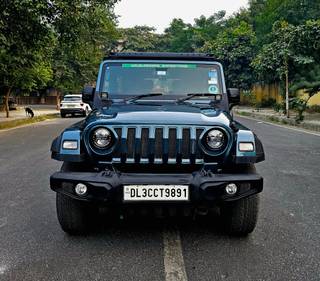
(158, 145)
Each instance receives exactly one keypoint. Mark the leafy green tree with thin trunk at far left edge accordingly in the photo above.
(25, 43)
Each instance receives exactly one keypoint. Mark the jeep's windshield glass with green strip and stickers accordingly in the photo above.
(170, 79)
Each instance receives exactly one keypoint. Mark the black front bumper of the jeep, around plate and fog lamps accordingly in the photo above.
(107, 187)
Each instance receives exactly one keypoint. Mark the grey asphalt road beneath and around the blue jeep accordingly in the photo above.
(284, 246)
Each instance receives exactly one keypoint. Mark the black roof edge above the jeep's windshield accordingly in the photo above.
(161, 56)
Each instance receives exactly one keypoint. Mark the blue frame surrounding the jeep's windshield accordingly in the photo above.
(106, 63)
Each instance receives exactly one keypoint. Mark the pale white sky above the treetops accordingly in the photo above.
(159, 13)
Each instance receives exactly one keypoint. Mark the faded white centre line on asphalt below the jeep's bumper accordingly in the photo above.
(173, 259)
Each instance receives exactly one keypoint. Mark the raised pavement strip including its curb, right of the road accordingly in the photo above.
(310, 122)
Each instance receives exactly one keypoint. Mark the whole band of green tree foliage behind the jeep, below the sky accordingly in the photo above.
(59, 43)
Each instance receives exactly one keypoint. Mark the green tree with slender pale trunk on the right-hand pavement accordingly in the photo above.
(291, 49)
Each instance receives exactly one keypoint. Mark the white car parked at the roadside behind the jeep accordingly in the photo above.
(73, 104)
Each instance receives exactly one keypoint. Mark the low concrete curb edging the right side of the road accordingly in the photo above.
(279, 120)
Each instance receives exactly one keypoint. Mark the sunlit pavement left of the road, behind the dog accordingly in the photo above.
(21, 114)
